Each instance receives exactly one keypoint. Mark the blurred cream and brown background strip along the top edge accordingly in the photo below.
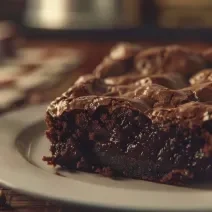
(110, 14)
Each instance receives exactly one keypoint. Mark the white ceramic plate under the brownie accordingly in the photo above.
(21, 168)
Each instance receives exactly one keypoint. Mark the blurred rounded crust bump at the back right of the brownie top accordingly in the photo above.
(172, 58)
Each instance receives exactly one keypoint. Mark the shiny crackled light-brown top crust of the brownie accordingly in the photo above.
(171, 82)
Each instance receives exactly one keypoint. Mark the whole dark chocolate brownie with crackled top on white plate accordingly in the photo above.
(150, 118)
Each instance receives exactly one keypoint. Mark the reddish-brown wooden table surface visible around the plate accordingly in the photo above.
(94, 52)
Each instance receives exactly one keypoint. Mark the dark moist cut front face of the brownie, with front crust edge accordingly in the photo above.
(94, 133)
